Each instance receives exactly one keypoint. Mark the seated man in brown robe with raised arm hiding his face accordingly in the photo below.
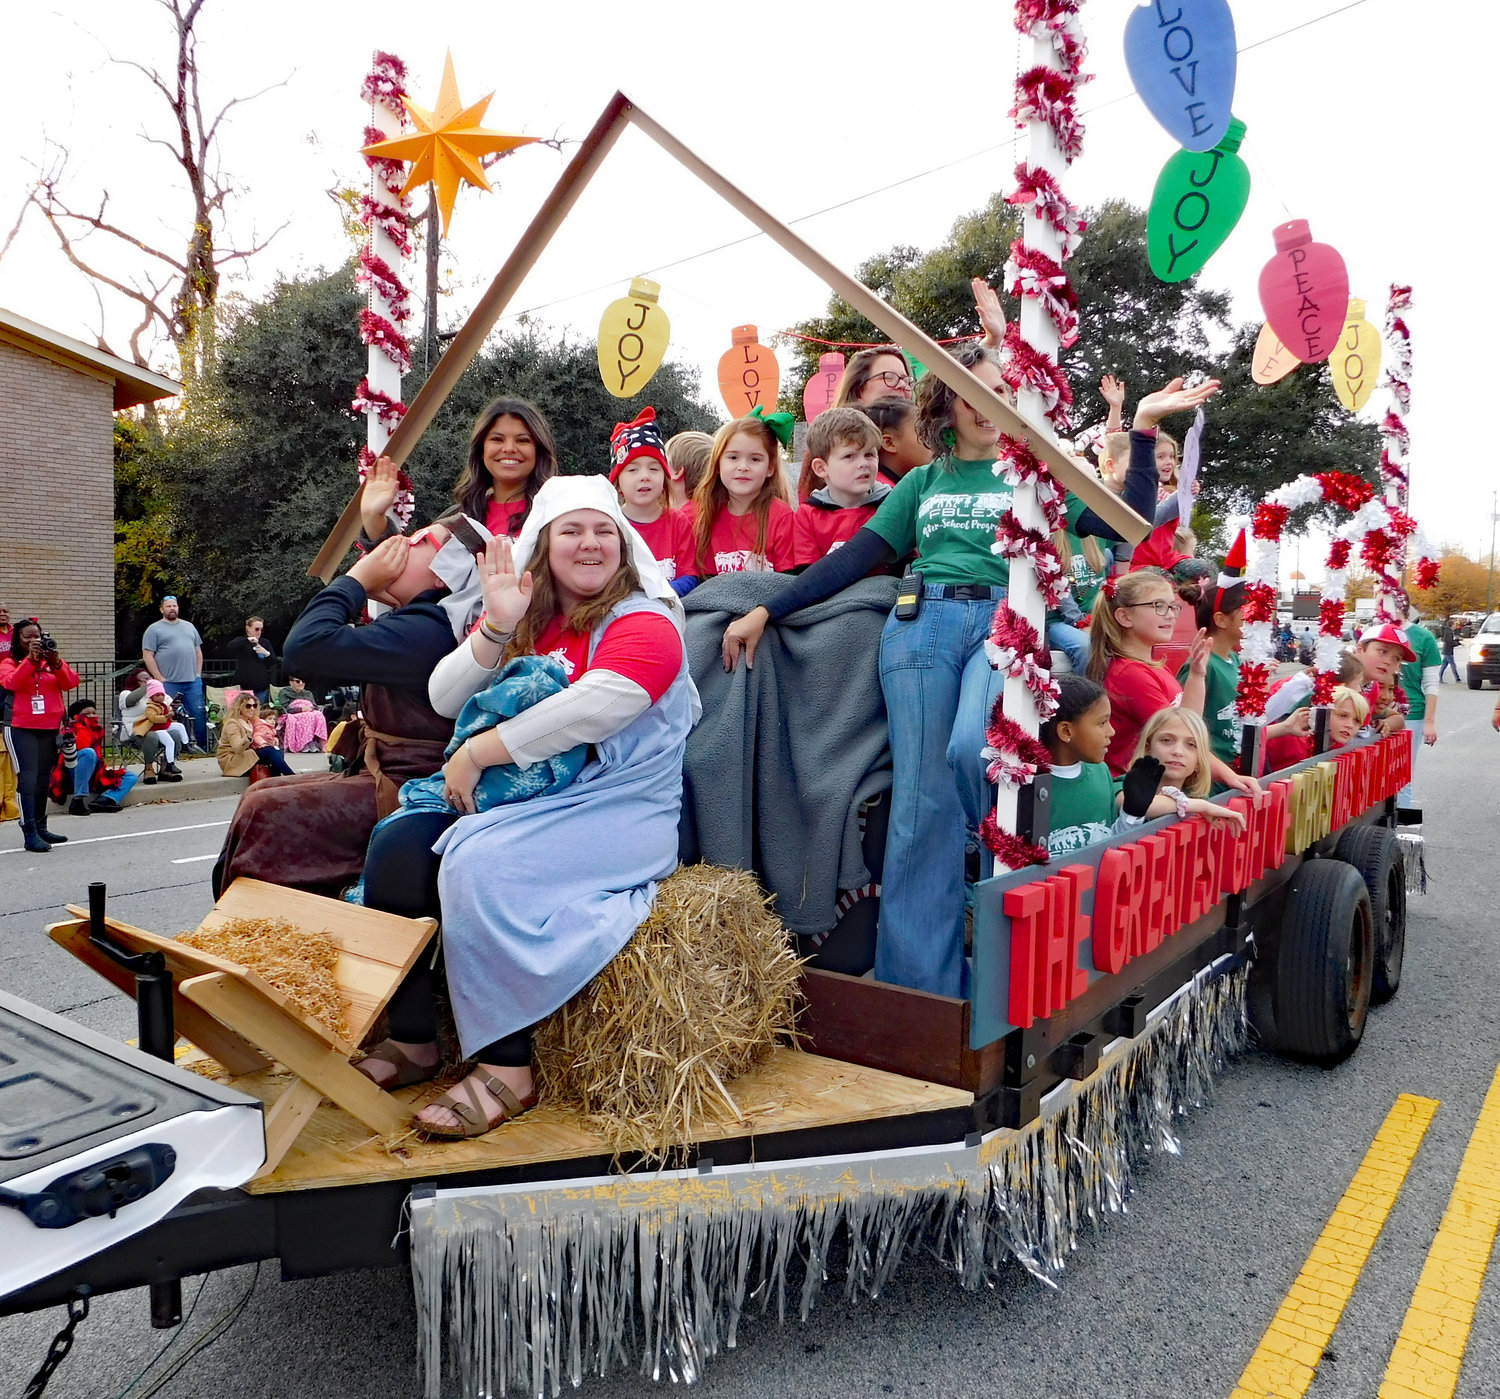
(311, 831)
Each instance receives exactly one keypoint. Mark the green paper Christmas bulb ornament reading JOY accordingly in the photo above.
(1196, 205)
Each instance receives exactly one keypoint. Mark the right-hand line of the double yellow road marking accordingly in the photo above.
(1430, 1350)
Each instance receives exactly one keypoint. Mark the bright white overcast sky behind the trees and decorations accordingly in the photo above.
(1355, 122)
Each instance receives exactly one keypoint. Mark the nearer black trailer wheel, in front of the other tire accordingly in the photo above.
(1325, 963)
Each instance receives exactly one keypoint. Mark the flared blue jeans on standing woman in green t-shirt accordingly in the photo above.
(940, 691)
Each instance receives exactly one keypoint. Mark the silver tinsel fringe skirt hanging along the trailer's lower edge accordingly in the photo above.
(538, 1286)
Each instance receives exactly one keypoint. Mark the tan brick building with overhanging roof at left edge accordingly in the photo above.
(58, 479)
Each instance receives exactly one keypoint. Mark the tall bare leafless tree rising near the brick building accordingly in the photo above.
(178, 296)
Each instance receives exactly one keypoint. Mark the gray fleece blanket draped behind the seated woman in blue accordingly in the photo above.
(787, 753)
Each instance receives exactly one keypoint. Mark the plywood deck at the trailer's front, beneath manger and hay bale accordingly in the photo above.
(793, 1091)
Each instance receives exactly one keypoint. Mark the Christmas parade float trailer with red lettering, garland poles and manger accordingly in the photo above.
(1106, 992)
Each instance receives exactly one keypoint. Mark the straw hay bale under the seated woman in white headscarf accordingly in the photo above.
(703, 993)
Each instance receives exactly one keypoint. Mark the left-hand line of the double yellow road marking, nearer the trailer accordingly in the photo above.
(1286, 1361)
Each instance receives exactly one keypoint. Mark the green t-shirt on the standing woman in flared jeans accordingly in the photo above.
(947, 514)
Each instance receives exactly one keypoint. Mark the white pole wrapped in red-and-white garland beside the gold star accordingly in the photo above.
(386, 215)
